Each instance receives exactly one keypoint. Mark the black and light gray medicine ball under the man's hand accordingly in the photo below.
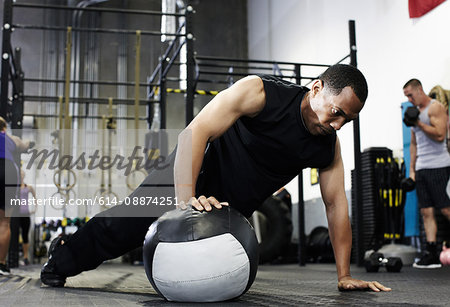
(193, 256)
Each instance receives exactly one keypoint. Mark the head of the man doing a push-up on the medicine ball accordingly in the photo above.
(335, 99)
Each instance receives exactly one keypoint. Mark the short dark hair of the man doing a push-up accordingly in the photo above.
(339, 76)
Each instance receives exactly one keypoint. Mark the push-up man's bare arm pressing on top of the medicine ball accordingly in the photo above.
(245, 98)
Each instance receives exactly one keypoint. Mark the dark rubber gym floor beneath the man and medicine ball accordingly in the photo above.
(114, 284)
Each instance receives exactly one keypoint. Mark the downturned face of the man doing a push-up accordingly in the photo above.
(331, 112)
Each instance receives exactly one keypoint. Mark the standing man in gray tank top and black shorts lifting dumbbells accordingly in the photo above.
(430, 165)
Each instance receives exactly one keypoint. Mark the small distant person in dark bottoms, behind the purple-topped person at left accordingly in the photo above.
(25, 220)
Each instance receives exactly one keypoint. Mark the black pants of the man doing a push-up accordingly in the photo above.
(113, 232)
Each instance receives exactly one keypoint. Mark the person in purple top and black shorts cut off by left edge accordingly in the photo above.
(9, 181)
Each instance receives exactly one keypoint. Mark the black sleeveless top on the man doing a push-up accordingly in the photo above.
(259, 155)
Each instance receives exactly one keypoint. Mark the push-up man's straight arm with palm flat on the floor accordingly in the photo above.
(333, 194)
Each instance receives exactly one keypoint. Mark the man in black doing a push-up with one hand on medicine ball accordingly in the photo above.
(248, 142)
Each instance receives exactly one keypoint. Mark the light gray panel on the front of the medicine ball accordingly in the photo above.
(180, 275)
